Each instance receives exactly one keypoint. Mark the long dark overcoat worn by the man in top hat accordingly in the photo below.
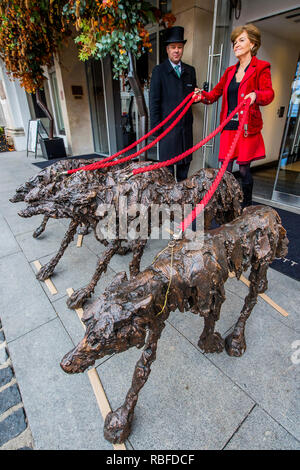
(167, 90)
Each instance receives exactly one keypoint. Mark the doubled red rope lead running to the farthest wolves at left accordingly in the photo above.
(101, 163)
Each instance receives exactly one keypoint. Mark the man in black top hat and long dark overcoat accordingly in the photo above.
(171, 82)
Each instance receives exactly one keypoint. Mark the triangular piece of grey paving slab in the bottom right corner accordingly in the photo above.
(261, 432)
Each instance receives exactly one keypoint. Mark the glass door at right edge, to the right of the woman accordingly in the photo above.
(287, 182)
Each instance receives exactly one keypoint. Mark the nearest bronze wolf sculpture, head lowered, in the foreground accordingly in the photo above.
(126, 314)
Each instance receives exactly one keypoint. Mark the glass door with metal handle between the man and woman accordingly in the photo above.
(218, 56)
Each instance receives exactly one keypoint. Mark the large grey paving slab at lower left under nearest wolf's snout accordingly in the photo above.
(61, 408)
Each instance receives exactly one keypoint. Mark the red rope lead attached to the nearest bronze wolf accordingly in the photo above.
(199, 207)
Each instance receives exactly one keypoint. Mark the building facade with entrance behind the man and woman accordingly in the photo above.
(94, 113)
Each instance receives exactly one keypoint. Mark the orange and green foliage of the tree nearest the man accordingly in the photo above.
(114, 27)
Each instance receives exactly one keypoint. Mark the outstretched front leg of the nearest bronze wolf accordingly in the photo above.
(117, 424)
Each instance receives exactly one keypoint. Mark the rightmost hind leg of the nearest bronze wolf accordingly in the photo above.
(235, 342)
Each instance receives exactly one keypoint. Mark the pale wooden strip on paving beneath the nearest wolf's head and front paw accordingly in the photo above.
(96, 384)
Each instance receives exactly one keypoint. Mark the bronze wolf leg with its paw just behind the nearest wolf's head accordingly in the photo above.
(79, 297)
